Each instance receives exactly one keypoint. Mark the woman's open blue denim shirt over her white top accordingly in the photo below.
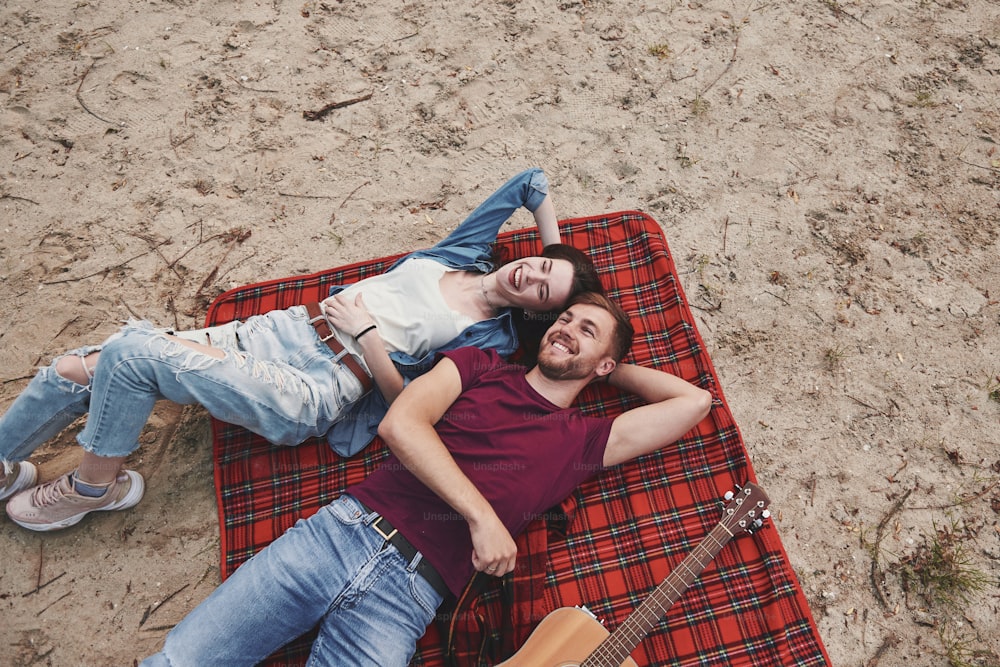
(467, 248)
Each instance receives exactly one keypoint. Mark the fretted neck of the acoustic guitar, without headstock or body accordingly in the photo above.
(620, 643)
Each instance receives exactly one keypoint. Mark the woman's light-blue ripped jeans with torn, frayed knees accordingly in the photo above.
(277, 379)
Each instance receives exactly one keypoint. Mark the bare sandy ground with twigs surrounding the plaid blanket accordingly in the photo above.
(827, 175)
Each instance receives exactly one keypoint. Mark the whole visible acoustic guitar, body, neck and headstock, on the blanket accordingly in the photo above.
(573, 637)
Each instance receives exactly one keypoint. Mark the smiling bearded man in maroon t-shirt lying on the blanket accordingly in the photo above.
(480, 447)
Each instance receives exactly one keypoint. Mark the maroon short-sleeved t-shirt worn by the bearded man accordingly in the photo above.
(522, 452)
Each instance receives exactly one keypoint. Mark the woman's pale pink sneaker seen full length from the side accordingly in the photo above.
(57, 504)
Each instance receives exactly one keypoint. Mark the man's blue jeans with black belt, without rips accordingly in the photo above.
(332, 570)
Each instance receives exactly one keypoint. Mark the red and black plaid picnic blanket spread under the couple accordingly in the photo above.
(627, 528)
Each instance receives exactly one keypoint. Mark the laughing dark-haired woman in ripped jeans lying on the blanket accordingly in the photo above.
(292, 374)
